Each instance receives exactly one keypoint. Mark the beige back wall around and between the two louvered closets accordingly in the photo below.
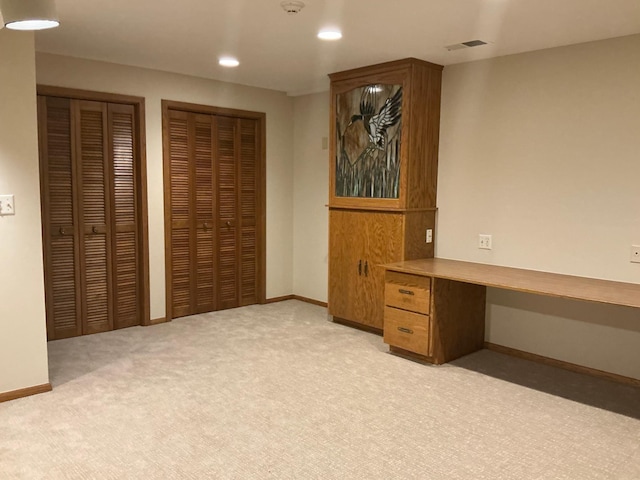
(155, 86)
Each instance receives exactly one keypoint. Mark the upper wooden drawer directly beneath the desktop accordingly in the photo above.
(408, 292)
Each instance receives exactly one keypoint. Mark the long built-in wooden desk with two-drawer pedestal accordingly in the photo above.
(451, 323)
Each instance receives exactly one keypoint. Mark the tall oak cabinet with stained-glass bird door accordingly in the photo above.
(383, 176)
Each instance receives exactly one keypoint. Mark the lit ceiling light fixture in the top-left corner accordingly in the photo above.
(29, 14)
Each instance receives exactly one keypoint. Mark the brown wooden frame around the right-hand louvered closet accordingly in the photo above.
(261, 187)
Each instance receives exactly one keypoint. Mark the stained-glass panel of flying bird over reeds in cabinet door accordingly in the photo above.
(368, 132)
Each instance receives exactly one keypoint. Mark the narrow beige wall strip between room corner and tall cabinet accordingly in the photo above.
(310, 196)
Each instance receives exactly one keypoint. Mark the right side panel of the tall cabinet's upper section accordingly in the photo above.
(422, 147)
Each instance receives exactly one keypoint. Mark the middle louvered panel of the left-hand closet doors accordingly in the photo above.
(94, 186)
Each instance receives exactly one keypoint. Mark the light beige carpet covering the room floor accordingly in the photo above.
(279, 392)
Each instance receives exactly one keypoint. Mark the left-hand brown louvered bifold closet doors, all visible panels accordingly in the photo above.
(91, 209)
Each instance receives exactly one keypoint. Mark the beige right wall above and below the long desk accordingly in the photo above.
(540, 150)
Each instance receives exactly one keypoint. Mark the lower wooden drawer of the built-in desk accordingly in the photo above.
(407, 330)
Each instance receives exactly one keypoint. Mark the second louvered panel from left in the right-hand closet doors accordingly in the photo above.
(205, 245)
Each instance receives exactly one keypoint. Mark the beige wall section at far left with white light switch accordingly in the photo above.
(23, 348)
